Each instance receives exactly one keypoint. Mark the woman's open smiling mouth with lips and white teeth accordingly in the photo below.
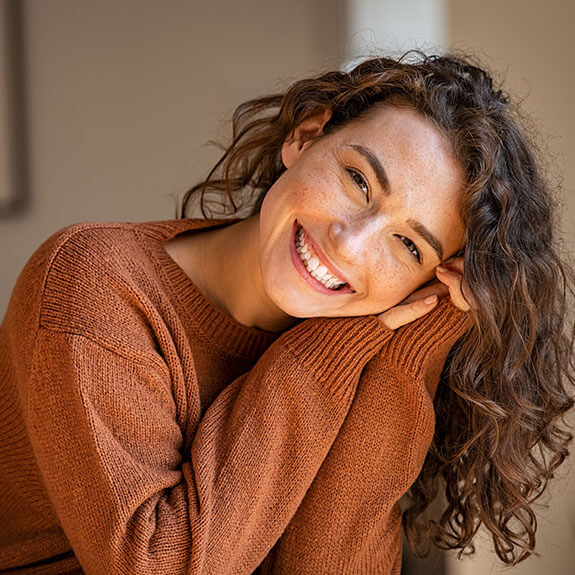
(308, 258)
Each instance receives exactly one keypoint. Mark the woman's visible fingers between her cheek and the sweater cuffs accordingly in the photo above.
(422, 301)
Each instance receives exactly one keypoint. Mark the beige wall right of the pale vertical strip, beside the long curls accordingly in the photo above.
(531, 44)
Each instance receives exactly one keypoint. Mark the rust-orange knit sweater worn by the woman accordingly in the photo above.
(143, 430)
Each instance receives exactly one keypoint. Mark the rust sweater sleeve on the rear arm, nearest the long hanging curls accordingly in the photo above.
(349, 521)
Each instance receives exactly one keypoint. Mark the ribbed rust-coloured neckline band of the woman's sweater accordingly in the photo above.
(194, 307)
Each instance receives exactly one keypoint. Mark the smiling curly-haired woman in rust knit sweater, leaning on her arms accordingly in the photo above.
(165, 409)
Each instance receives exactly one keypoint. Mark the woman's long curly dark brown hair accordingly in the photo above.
(506, 386)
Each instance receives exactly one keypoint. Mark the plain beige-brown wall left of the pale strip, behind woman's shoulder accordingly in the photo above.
(123, 95)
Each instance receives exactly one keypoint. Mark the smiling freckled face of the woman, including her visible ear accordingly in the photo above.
(361, 217)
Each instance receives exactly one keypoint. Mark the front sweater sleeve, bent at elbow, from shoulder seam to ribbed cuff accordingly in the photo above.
(105, 432)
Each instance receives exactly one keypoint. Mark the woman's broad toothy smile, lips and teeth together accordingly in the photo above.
(308, 261)
